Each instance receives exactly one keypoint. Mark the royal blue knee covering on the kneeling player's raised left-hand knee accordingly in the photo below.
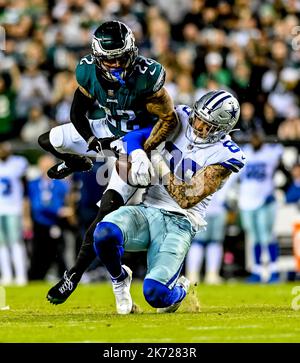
(107, 235)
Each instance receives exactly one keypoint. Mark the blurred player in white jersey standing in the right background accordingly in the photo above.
(257, 203)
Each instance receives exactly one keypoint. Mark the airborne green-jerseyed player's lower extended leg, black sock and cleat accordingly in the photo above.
(115, 196)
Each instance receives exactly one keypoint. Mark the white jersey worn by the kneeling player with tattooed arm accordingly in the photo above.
(184, 160)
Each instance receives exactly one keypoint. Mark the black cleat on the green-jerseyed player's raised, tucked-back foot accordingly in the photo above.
(65, 168)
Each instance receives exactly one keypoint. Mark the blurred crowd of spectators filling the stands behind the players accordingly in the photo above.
(251, 48)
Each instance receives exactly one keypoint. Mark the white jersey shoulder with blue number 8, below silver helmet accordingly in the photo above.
(230, 155)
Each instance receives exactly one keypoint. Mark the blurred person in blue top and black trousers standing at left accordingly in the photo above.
(47, 198)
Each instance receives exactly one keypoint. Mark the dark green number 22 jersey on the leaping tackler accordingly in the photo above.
(124, 107)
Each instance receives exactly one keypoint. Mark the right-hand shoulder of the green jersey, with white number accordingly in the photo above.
(149, 73)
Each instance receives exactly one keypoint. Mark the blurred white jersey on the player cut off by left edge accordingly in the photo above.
(11, 187)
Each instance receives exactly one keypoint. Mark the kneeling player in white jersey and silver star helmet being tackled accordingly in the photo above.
(193, 164)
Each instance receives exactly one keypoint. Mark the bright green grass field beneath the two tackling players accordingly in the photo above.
(228, 313)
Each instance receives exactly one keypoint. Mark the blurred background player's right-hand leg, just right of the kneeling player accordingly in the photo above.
(214, 249)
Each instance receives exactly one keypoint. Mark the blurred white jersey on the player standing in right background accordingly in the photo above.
(256, 180)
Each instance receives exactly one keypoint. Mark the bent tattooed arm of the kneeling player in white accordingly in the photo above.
(187, 194)
